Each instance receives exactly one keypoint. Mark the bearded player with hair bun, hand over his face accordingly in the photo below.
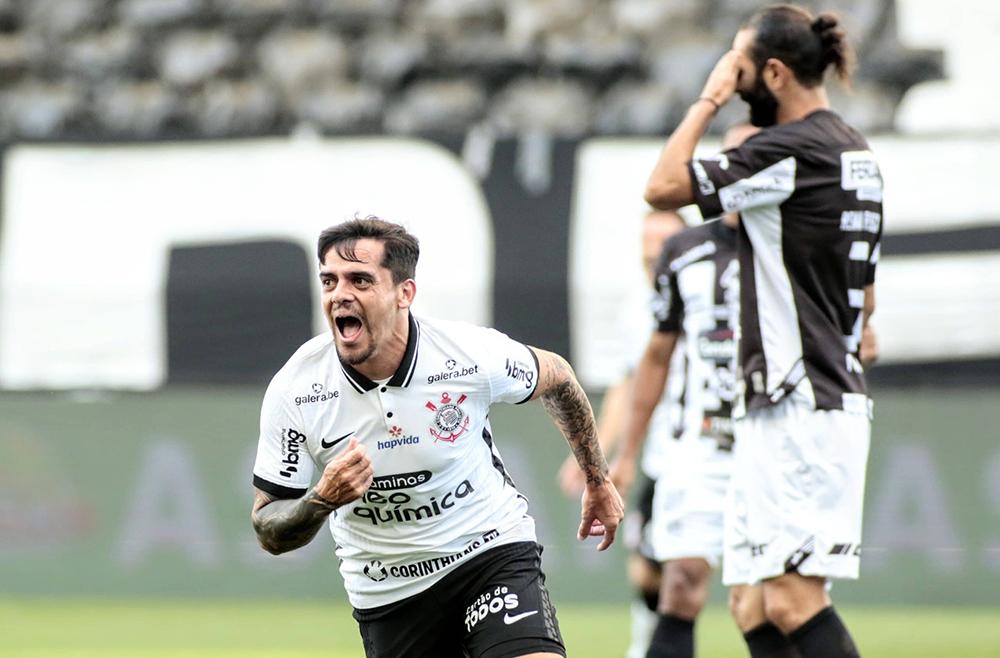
(809, 194)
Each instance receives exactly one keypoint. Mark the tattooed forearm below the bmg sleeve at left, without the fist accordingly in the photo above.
(284, 525)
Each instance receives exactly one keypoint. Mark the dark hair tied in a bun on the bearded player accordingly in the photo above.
(804, 44)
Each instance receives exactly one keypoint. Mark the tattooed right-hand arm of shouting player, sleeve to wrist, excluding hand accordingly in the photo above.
(567, 405)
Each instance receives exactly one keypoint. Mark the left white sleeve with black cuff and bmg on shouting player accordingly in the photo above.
(283, 467)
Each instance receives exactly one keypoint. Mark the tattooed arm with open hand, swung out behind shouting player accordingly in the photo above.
(568, 406)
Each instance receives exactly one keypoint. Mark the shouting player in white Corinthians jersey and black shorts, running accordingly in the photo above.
(435, 543)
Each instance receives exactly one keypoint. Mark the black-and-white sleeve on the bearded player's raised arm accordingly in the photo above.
(757, 173)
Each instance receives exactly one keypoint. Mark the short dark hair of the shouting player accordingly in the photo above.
(401, 249)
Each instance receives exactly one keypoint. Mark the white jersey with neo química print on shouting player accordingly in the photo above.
(440, 492)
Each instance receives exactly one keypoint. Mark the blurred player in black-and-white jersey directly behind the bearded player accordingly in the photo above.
(698, 283)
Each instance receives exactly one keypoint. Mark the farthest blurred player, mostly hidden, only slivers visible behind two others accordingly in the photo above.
(643, 568)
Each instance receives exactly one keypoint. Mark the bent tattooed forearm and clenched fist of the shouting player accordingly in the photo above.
(284, 525)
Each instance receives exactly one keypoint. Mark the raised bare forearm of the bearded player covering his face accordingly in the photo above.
(669, 185)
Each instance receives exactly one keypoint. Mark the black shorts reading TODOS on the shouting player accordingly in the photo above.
(493, 606)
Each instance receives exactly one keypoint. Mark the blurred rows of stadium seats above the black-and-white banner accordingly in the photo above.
(141, 69)
